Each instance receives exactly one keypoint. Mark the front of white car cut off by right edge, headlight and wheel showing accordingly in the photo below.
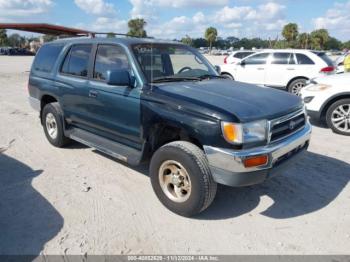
(328, 99)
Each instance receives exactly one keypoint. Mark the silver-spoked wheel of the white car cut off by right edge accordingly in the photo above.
(338, 117)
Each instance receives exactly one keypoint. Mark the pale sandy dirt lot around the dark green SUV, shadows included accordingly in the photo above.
(76, 200)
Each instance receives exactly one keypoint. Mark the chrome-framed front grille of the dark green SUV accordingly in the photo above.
(286, 126)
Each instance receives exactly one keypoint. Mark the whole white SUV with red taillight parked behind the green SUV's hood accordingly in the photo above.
(288, 68)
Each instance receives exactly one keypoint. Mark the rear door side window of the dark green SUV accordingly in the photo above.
(77, 61)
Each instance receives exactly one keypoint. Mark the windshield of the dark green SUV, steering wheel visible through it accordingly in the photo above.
(166, 62)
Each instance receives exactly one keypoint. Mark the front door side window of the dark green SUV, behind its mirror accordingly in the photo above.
(109, 58)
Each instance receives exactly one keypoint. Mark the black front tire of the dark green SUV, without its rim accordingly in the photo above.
(193, 159)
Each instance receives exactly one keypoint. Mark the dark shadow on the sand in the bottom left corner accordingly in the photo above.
(27, 219)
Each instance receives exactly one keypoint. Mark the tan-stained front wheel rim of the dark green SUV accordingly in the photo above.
(175, 181)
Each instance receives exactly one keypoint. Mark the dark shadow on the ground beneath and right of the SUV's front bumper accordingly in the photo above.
(306, 187)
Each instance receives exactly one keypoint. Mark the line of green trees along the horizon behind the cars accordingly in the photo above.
(292, 38)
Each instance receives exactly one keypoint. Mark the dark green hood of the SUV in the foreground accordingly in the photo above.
(245, 101)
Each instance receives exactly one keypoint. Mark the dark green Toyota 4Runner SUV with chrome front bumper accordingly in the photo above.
(143, 99)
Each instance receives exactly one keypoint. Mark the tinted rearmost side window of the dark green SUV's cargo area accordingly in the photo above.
(46, 57)
